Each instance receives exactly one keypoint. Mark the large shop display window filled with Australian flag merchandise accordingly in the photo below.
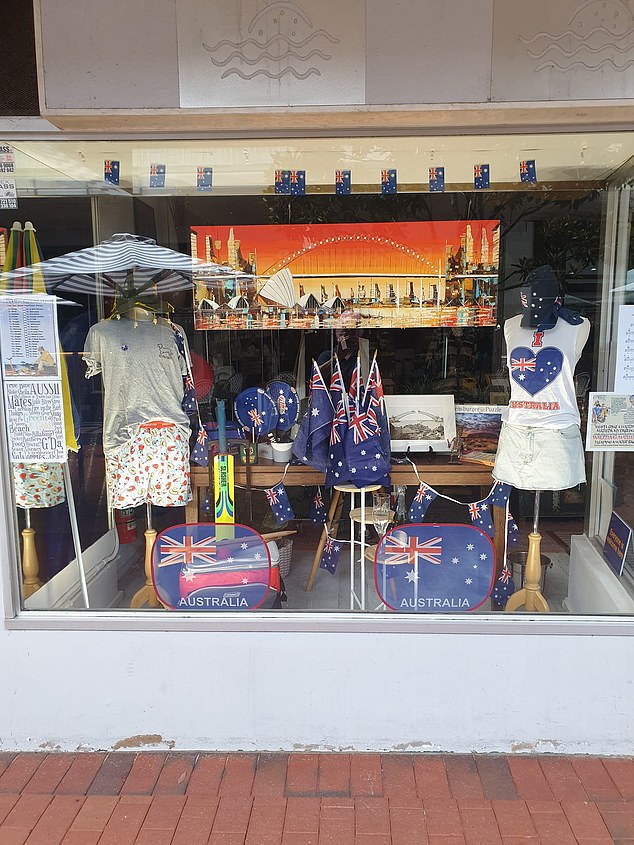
(188, 327)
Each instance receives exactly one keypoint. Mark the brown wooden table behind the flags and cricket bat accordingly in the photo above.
(435, 471)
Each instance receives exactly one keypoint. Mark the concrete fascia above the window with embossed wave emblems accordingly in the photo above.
(192, 53)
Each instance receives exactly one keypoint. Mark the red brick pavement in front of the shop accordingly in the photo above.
(160, 798)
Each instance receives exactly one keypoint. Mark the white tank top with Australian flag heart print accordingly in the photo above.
(541, 367)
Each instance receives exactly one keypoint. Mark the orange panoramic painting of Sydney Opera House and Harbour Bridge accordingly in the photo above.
(373, 275)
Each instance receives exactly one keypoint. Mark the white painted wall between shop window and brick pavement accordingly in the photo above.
(247, 691)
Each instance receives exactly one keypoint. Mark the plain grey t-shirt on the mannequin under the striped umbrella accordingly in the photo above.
(142, 374)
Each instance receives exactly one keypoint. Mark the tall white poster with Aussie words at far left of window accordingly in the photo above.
(32, 379)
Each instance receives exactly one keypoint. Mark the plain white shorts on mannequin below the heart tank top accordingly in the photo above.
(532, 458)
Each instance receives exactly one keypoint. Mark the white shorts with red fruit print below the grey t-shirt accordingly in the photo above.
(152, 467)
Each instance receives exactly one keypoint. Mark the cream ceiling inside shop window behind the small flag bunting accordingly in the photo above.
(247, 166)
